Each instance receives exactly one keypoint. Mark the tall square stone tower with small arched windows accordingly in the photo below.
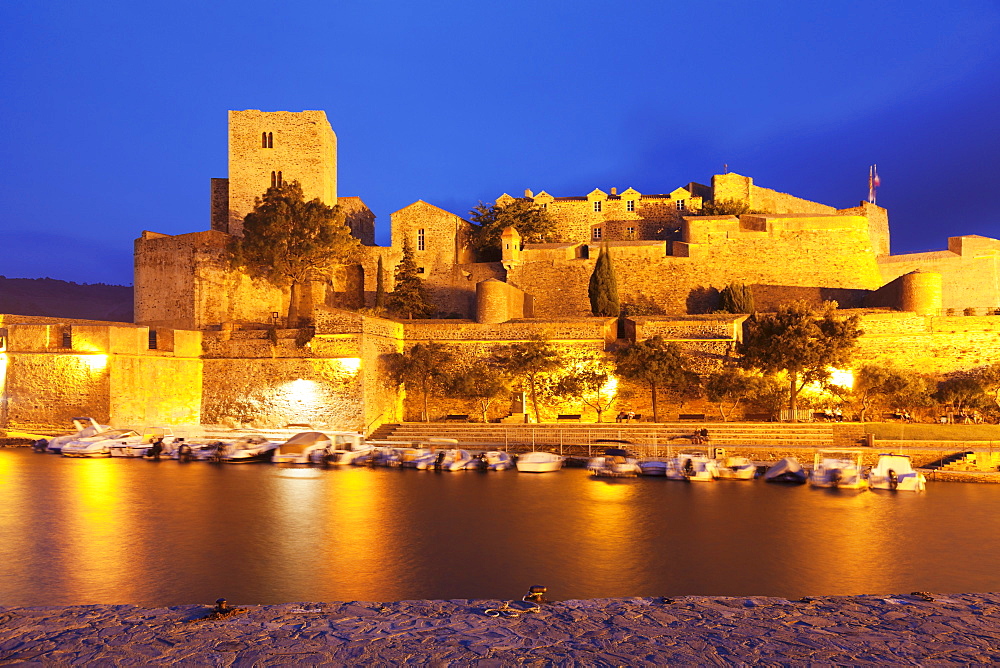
(270, 147)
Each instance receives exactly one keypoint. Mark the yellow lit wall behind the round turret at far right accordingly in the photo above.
(970, 271)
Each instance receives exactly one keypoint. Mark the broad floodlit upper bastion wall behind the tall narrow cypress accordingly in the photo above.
(833, 252)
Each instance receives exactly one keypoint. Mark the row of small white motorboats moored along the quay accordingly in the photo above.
(831, 468)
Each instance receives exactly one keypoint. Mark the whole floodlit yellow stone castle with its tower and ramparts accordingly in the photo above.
(204, 329)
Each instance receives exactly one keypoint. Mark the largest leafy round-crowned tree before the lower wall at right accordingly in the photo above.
(799, 341)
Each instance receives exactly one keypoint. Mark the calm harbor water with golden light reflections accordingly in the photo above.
(163, 533)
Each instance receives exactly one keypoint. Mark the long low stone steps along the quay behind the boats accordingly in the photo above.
(777, 435)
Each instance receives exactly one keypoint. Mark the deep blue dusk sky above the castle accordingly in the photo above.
(114, 113)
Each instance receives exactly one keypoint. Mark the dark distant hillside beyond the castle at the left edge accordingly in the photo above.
(63, 299)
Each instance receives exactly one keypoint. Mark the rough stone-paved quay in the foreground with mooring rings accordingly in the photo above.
(949, 628)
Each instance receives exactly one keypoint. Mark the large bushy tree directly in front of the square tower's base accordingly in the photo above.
(290, 242)
